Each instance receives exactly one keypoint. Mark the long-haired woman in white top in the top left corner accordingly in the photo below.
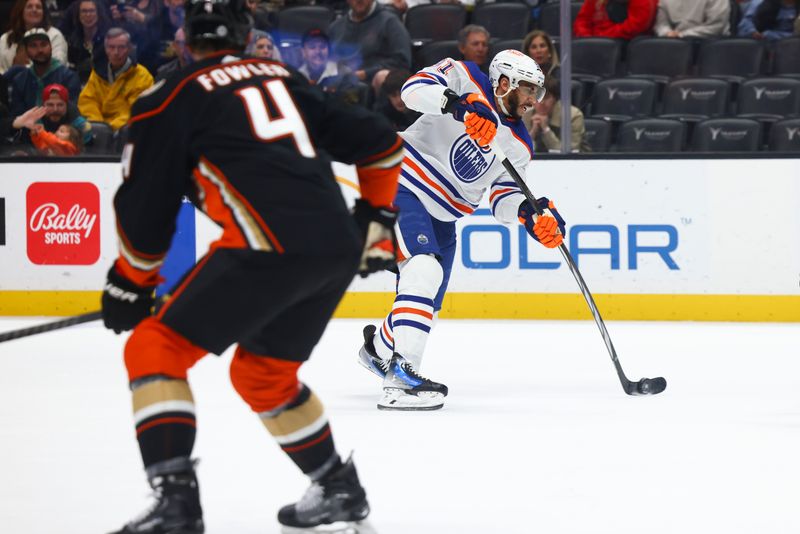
(25, 15)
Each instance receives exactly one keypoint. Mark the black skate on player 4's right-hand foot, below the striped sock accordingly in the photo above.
(337, 497)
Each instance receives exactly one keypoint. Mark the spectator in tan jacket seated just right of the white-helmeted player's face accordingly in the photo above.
(544, 122)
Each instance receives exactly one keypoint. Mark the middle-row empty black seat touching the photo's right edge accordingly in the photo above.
(769, 99)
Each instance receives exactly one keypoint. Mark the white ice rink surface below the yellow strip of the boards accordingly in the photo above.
(536, 436)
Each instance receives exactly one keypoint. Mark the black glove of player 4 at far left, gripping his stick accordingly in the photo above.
(125, 304)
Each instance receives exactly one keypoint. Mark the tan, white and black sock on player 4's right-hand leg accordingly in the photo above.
(301, 429)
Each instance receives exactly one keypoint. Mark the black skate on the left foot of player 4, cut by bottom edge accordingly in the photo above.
(177, 508)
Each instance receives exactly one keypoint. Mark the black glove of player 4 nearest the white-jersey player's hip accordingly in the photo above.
(377, 228)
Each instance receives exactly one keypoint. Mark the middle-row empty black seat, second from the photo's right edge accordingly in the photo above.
(694, 99)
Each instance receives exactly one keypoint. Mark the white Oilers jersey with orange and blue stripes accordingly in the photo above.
(443, 167)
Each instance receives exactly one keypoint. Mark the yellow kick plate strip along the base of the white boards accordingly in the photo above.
(755, 308)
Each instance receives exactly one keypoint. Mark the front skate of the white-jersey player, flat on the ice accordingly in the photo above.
(405, 389)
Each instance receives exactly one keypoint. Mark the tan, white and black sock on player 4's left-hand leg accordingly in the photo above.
(163, 410)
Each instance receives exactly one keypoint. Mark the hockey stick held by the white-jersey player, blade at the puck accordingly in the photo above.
(645, 386)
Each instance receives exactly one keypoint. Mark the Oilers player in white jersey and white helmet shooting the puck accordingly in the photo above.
(447, 168)
